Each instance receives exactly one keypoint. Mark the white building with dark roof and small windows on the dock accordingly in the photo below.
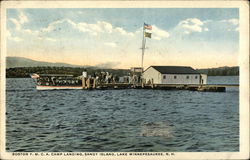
(173, 75)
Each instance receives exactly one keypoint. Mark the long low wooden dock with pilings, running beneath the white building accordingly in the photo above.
(191, 87)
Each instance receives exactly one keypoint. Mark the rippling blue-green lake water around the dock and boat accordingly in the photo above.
(121, 120)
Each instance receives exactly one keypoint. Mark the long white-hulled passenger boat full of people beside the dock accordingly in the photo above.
(56, 81)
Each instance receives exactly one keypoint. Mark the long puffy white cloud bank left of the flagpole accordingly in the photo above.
(50, 32)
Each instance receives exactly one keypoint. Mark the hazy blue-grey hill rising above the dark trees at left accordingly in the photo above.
(12, 62)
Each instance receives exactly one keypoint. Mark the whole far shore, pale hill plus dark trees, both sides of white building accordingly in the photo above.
(18, 67)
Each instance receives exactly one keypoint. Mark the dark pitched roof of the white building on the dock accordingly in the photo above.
(175, 70)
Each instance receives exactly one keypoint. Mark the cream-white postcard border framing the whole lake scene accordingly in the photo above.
(243, 61)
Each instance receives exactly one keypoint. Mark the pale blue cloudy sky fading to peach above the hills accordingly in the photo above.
(112, 37)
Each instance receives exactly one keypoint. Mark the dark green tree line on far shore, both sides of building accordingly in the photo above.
(24, 72)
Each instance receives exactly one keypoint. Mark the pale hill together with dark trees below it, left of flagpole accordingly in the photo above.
(19, 67)
